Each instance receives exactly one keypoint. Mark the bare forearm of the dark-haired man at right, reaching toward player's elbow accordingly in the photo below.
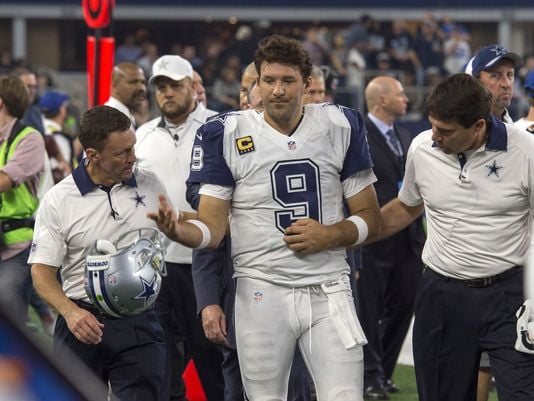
(396, 216)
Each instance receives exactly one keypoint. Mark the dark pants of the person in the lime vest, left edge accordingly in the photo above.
(16, 285)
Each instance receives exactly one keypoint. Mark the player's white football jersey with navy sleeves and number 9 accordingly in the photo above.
(274, 179)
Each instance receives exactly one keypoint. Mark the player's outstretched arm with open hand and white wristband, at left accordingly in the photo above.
(207, 230)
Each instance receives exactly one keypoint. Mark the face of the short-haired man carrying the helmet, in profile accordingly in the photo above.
(115, 163)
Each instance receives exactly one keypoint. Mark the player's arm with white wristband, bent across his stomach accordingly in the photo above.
(310, 236)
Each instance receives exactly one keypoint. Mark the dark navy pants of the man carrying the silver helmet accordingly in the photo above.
(131, 355)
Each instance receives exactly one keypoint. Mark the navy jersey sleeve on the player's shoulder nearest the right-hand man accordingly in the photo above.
(357, 157)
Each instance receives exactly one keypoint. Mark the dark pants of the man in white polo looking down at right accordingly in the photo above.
(454, 324)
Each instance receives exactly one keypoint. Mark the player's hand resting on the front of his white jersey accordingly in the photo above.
(307, 236)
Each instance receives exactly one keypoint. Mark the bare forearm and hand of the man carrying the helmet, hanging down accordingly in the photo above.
(82, 323)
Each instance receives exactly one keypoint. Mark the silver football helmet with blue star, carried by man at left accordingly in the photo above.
(123, 278)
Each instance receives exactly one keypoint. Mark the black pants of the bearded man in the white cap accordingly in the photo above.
(177, 296)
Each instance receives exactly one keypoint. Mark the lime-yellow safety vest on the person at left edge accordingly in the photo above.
(18, 205)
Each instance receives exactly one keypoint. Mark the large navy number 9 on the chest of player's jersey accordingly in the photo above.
(296, 187)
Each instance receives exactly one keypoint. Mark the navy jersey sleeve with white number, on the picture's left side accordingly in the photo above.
(208, 165)
